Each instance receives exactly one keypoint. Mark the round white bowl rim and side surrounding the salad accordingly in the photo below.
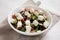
(35, 33)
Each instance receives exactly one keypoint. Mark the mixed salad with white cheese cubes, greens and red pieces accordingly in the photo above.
(30, 20)
